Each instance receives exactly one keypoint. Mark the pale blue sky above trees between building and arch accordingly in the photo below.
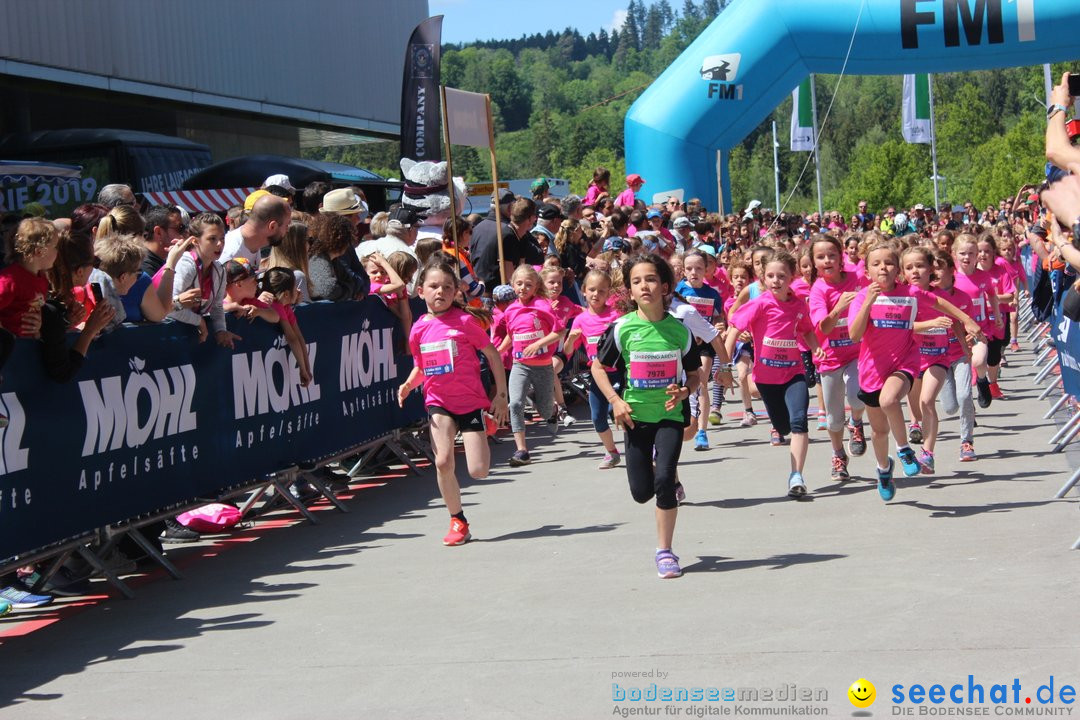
(498, 20)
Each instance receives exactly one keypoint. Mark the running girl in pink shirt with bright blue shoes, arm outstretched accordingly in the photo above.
(883, 318)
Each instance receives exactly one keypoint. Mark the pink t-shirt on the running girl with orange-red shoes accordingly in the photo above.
(445, 348)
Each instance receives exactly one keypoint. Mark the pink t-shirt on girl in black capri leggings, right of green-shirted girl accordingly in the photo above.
(775, 325)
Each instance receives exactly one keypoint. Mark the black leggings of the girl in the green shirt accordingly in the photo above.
(646, 483)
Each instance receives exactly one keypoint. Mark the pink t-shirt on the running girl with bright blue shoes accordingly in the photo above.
(888, 344)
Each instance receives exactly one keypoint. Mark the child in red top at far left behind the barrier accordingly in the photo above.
(23, 283)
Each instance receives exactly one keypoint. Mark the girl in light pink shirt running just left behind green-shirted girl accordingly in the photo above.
(588, 328)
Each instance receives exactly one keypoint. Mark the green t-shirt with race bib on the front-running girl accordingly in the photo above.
(652, 357)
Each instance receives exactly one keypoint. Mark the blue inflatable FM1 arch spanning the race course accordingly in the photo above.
(753, 56)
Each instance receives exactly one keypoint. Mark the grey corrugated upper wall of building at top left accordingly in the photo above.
(321, 63)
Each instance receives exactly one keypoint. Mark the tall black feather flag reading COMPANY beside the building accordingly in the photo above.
(421, 113)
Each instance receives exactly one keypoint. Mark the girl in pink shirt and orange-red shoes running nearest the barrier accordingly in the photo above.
(444, 343)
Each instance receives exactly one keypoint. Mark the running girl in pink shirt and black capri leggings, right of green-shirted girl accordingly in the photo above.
(776, 320)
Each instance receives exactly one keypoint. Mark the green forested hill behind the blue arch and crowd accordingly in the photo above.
(560, 101)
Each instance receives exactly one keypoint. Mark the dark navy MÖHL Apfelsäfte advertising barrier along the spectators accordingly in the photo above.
(155, 419)
